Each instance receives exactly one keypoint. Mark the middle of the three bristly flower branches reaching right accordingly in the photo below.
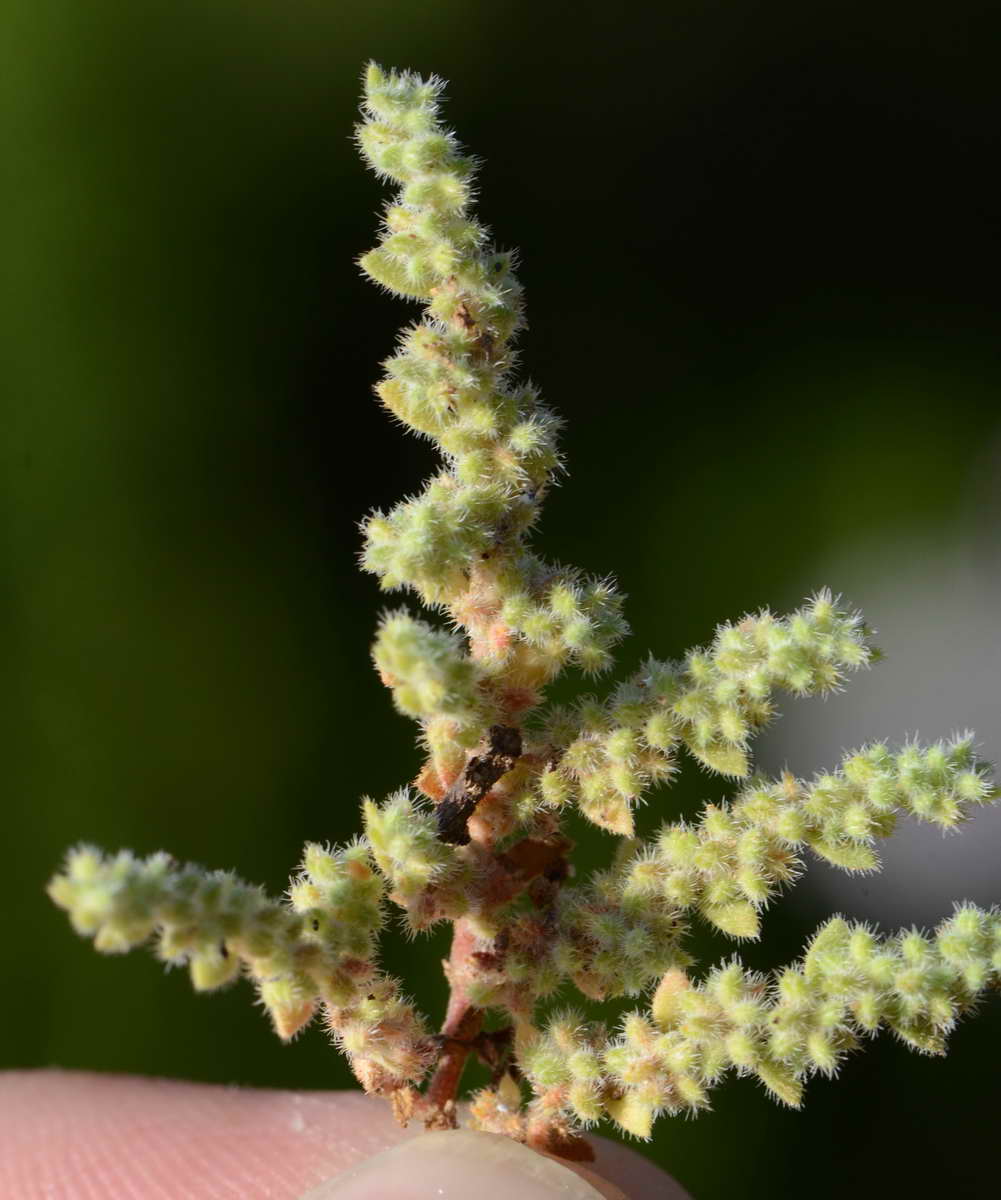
(622, 932)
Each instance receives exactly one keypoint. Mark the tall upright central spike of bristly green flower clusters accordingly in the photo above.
(460, 544)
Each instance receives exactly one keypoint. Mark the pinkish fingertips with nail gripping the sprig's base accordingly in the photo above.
(83, 1137)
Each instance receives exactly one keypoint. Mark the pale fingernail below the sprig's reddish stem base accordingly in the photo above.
(458, 1166)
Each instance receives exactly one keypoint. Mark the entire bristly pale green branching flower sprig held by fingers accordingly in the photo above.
(479, 838)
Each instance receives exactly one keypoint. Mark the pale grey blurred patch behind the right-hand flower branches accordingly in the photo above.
(936, 603)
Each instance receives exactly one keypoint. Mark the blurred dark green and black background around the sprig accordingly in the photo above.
(760, 244)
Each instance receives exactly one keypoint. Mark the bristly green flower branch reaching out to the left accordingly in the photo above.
(316, 950)
